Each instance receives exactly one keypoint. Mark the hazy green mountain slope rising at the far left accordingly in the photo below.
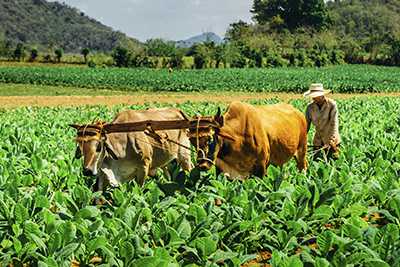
(54, 24)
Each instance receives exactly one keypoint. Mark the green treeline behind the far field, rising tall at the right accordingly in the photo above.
(285, 33)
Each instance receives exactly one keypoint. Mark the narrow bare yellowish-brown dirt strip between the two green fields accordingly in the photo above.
(52, 101)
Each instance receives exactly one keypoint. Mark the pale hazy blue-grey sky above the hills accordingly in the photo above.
(168, 19)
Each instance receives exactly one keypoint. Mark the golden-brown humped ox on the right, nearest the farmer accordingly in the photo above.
(250, 138)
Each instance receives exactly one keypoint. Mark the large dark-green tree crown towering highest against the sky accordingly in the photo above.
(292, 13)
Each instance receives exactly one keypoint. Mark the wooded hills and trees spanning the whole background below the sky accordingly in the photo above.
(283, 33)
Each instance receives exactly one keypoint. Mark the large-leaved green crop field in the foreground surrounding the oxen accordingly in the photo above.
(338, 214)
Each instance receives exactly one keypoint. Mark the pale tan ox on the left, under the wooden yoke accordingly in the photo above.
(118, 157)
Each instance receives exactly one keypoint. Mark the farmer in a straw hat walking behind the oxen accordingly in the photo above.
(323, 113)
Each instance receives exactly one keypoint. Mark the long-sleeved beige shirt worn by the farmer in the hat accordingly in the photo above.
(326, 121)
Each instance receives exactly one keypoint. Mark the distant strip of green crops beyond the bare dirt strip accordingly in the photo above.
(341, 79)
